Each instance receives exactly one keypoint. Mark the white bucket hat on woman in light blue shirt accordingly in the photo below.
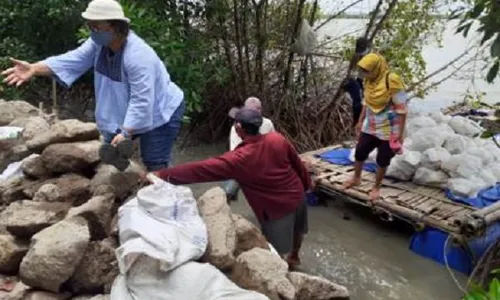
(103, 10)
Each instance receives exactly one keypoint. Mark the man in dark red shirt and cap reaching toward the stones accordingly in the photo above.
(271, 175)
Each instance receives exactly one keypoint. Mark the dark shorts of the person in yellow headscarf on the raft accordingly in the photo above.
(367, 143)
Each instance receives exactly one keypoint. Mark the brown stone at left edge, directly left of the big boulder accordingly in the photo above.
(12, 252)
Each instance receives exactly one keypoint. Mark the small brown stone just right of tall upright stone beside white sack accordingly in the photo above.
(248, 236)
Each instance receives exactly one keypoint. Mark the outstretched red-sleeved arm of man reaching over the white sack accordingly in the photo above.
(208, 170)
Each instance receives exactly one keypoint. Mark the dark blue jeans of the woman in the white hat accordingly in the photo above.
(156, 145)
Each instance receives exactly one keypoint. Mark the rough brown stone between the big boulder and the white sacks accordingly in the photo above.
(98, 268)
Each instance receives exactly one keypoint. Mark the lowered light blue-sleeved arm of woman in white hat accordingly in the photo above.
(141, 78)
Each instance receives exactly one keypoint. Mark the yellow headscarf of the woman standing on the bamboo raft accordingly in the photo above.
(377, 95)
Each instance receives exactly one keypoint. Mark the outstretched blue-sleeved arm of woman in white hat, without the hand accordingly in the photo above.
(68, 67)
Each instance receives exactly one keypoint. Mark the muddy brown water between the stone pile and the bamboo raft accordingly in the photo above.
(368, 256)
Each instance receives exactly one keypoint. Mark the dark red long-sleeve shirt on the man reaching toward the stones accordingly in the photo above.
(267, 168)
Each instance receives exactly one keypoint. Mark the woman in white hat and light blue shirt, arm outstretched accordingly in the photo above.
(135, 96)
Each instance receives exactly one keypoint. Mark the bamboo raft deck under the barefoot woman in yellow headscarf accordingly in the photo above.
(418, 205)
